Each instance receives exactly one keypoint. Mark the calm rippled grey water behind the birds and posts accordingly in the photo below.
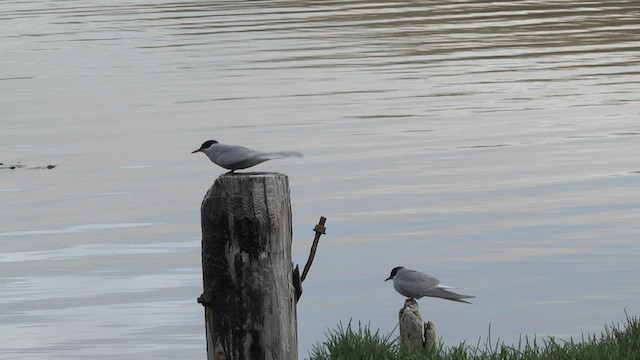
(493, 145)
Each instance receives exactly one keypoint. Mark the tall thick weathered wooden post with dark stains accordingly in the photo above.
(249, 298)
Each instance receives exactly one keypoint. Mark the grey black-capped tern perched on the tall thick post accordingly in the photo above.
(235, 157)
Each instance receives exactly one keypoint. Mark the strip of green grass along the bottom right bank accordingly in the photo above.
(616, 341)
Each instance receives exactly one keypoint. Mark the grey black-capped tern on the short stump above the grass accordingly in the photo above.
(414, 285)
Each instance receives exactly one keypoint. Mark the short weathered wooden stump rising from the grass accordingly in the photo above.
(411, 328)
